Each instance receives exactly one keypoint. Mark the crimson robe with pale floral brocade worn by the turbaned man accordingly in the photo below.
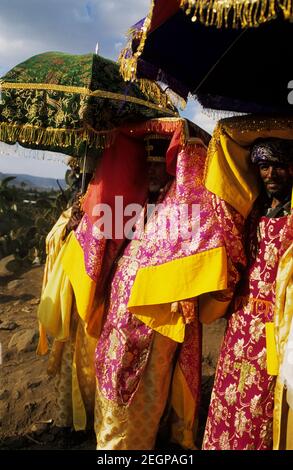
(241, 409)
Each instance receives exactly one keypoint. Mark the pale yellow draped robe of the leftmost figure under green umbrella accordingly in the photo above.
(72, 352)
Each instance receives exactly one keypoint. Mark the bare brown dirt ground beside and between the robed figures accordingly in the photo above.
(27, 396)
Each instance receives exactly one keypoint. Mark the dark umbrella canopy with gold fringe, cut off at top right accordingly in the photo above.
(245, 69)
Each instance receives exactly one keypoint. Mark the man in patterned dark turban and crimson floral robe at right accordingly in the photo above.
(244, 398)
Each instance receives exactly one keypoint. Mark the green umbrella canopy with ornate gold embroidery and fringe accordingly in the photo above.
(63, 102)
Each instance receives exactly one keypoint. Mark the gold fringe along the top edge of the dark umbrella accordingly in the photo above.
(244, 13)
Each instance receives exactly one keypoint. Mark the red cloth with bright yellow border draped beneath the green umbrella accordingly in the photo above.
(89, 255)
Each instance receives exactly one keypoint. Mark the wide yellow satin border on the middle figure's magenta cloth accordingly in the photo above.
(202, 272)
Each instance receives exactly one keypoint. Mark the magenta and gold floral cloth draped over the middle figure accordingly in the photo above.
(124, 345)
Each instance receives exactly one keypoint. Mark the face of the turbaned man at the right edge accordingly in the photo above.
(277, 178)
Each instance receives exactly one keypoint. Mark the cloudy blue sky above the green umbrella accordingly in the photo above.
(29, 27)
